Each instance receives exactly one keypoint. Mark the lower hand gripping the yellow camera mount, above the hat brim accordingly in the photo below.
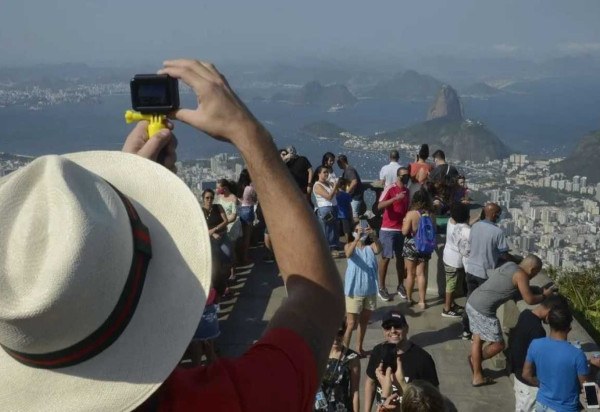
(161, 148)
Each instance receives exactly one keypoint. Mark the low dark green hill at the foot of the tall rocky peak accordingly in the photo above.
(459, 139)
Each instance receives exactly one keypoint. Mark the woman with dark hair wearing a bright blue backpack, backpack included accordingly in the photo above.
(419, 231)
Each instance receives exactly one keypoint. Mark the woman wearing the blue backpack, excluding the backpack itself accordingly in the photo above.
(415, 262)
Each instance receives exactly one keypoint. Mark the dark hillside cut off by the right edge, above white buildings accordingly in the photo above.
(584, 159)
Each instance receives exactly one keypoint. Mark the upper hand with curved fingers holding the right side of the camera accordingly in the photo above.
(220, 113)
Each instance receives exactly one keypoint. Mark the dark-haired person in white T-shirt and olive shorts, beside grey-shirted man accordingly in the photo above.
(455, 251)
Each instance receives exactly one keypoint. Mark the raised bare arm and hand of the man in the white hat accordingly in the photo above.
(315, 304)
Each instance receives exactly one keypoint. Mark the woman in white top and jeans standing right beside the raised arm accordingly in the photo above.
(324, 192)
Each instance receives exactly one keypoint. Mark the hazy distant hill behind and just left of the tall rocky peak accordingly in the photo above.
(408, 85)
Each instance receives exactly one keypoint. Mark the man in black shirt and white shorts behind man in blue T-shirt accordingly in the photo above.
(528, 327)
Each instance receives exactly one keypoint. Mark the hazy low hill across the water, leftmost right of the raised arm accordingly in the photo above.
(315, 94)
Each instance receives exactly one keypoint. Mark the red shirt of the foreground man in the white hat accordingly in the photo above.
(278, 373)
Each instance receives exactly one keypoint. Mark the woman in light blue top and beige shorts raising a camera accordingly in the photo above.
(360, 284)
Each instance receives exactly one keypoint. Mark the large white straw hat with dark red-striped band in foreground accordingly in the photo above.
(72, 336)
